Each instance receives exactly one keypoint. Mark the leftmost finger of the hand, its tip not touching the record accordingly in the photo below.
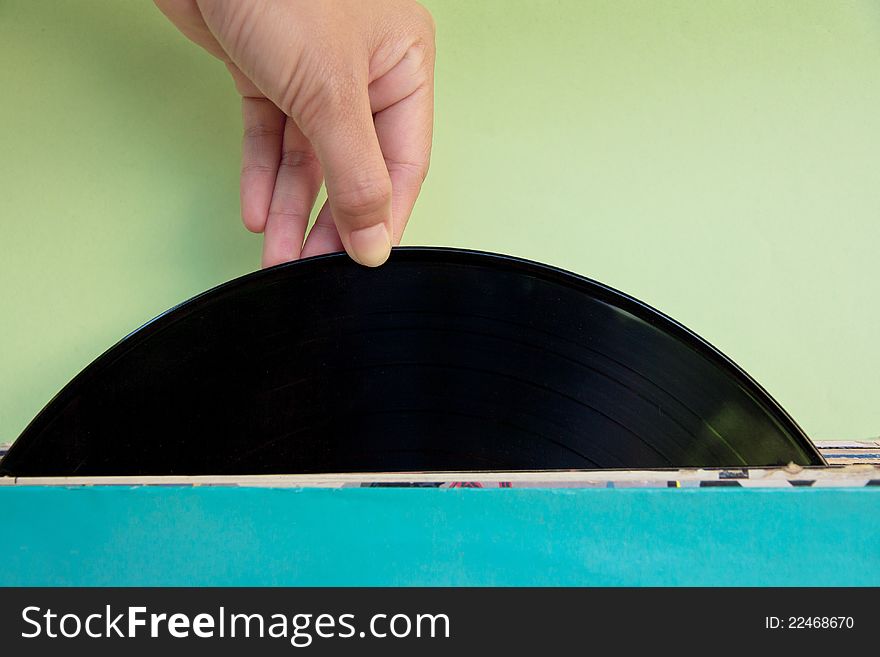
(261, 155)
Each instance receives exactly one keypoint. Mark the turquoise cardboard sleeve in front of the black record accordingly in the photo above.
(227, 536)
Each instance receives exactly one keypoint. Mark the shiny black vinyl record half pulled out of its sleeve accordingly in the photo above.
(441, 359)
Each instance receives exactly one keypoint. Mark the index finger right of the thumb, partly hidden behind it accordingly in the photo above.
(405, 132)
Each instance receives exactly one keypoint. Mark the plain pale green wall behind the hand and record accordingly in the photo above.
(718, 160)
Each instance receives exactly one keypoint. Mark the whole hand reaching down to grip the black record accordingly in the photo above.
(340, 91)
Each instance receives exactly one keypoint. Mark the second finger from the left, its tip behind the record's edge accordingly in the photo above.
(296, 187)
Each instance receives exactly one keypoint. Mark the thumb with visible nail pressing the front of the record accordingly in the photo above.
(357, 179)
